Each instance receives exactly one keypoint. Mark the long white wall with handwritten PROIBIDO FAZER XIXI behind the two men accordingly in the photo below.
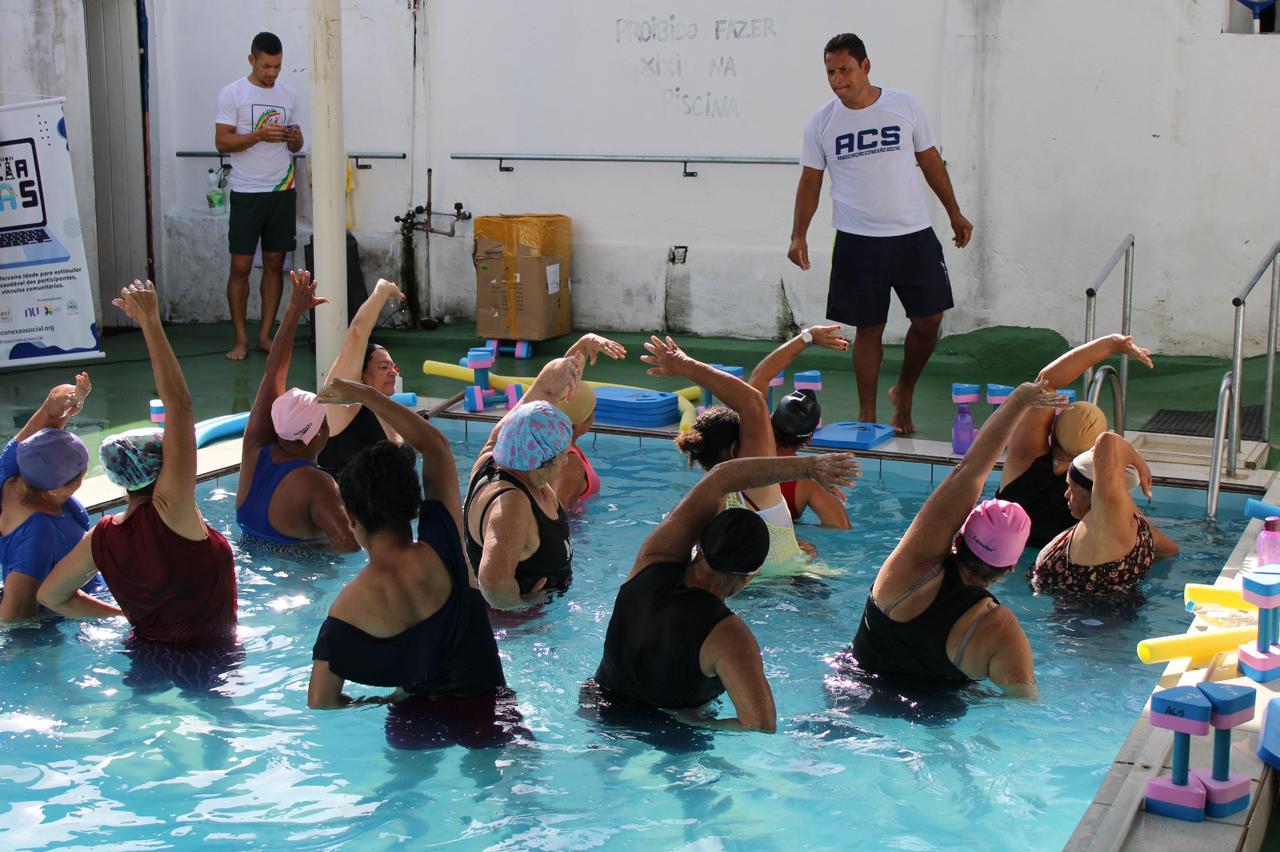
(1063, 130)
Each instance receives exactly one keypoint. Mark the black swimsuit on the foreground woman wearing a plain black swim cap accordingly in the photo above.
(655, 638)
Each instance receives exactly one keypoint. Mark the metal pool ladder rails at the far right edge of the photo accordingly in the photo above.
(1227, 423)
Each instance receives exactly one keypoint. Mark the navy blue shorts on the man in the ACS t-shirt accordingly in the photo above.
(865, 271)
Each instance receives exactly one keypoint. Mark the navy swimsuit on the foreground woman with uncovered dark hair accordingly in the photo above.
(451, 654)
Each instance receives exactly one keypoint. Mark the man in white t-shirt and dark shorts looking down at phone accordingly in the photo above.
(258, 127)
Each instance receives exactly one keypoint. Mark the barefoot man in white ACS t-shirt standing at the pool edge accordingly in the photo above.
(872, 140)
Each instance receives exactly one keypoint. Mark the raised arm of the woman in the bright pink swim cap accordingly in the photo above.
(931, 534)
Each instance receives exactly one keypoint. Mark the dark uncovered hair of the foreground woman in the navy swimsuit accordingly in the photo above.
(381, 488)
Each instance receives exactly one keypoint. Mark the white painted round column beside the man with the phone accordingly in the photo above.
(328, 181)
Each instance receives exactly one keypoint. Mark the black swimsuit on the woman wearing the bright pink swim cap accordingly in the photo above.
(920, 647)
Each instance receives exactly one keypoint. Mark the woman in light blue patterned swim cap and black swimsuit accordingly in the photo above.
(515, 529)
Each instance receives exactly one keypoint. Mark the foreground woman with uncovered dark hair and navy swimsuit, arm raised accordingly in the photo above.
(412, 619)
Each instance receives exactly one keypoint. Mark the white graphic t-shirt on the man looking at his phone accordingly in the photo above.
(264, 167)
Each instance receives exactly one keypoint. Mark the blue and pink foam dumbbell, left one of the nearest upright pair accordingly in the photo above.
(1186, 712)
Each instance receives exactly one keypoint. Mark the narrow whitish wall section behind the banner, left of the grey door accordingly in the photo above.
(43, 54)
